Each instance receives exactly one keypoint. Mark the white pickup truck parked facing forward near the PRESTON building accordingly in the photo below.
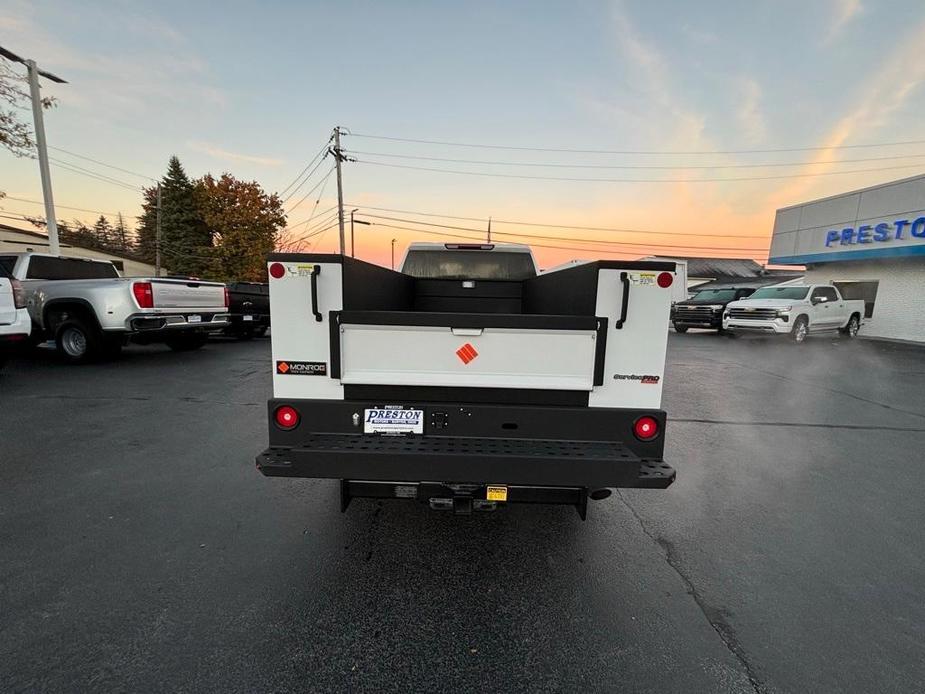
(797, 311)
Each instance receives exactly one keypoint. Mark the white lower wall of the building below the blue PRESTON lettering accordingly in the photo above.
(899, 311)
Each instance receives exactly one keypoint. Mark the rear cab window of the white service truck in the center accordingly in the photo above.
(469, 265)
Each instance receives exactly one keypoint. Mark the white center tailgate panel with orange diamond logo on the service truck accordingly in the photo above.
(472, 350)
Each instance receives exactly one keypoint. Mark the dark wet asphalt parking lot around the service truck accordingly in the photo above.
(140, 550)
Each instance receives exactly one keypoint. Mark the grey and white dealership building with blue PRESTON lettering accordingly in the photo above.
(870, 244)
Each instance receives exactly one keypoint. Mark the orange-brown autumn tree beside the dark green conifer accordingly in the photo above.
(244, 222)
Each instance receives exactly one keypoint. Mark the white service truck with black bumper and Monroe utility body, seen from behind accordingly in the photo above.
(468, 379)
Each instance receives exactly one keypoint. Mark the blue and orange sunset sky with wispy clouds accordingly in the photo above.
(657, 94)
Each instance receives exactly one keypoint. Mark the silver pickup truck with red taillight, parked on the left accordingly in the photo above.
(91, 312)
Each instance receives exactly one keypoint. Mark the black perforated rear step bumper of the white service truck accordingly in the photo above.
(527, 462)
